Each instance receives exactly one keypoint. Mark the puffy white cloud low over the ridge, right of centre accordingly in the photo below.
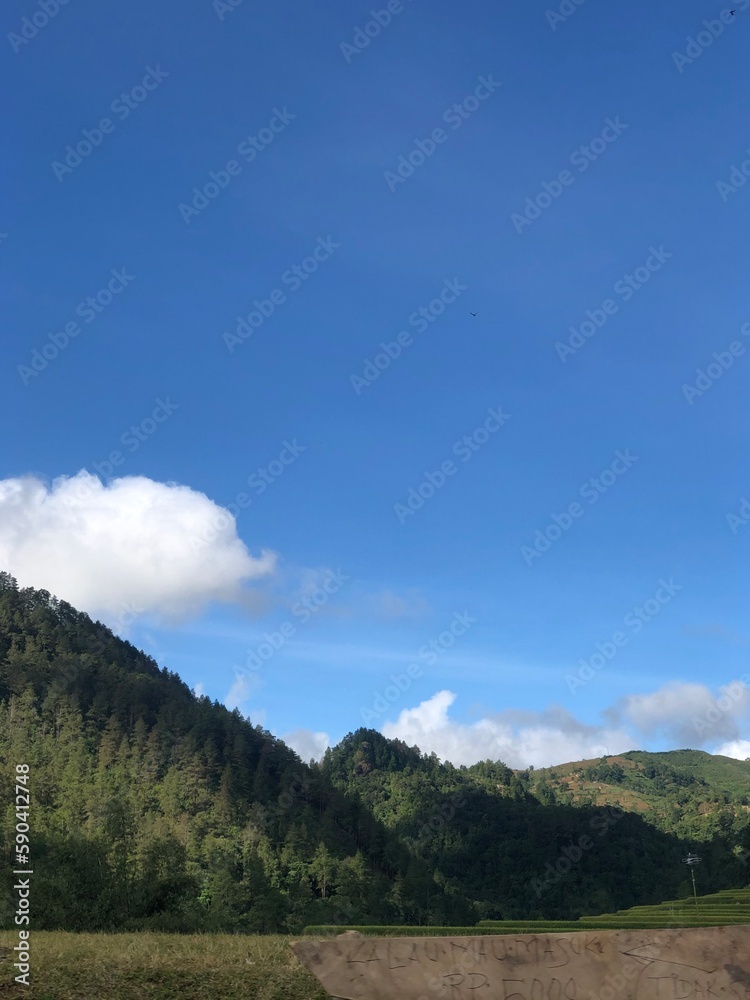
(519, 739)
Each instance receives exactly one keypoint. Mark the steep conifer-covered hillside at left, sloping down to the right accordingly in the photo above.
(152, 808)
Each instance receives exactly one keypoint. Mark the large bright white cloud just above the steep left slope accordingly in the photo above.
(134, 543)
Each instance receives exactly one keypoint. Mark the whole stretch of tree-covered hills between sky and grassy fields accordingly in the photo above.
(154, 808)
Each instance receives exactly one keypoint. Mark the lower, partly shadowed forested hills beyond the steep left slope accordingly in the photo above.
(503, 836)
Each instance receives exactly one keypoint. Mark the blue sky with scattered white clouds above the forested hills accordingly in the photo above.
(616, 156)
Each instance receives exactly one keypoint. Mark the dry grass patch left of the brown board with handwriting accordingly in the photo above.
(157, 967)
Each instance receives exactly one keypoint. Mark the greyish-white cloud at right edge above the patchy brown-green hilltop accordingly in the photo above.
(689, 714)
